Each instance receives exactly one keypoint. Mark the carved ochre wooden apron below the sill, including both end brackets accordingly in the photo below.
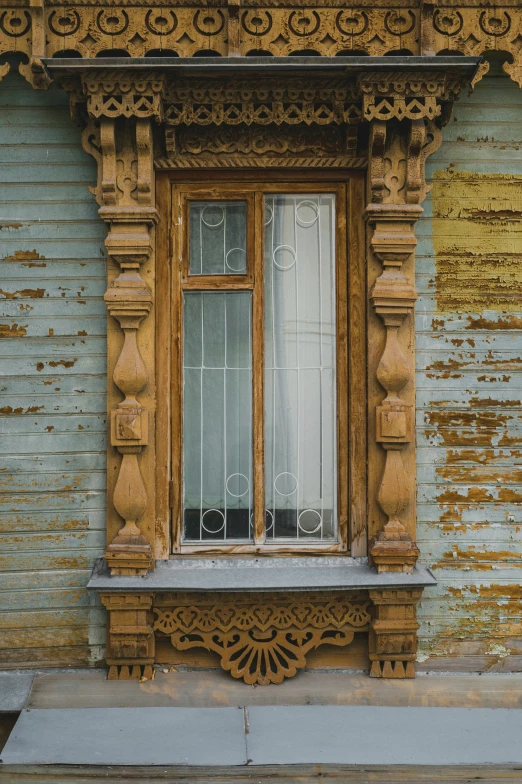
(265, 637)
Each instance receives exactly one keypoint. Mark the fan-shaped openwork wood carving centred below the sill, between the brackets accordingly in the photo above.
(265, 638)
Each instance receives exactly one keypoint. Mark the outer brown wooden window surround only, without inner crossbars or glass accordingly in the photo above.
(350, 188)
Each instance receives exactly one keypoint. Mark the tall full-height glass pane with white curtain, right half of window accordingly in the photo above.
(300, 376)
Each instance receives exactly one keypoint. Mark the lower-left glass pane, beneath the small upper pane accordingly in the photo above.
(217, 416)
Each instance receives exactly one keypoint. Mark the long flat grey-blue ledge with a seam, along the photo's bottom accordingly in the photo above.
(267, 735)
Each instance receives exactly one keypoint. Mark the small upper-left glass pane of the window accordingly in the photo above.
(218, 238)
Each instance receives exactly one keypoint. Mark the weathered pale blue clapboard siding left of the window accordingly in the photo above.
(52, 384)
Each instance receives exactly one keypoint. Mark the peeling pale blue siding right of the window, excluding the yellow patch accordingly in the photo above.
(469, 466)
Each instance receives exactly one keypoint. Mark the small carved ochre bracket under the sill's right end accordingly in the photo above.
(393, 633)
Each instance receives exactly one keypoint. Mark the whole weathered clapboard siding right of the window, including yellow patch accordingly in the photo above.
(469, 386)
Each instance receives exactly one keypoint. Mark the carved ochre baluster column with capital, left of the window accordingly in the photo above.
(120, 108)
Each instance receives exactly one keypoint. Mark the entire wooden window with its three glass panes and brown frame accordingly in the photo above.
(260, 448)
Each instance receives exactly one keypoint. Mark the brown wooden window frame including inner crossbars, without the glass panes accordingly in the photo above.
(173, 190)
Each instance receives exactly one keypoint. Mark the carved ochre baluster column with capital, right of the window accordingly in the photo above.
(405, 115)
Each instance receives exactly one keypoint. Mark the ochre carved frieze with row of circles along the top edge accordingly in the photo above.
(47, 28)
